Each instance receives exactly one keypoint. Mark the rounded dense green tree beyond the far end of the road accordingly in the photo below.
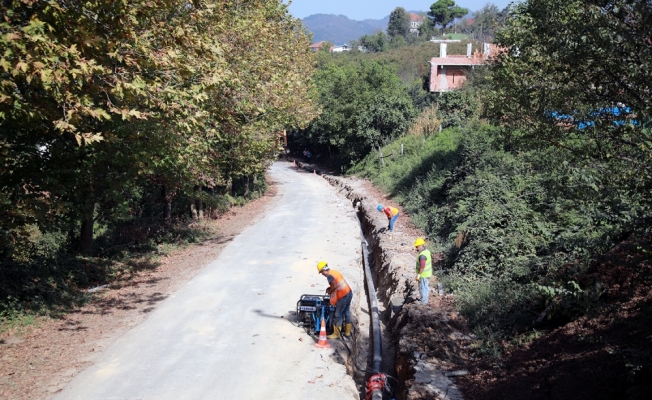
(363, 106)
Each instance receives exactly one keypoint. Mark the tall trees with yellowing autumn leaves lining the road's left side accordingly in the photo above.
(99, 97)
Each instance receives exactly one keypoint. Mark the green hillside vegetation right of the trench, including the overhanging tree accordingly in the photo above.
(540, 176)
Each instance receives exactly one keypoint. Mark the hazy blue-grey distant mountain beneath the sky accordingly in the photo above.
(338, 29)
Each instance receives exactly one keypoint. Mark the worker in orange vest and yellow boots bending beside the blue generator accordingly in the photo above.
(341, 295)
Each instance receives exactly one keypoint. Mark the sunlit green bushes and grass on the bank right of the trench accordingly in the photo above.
(512, 231)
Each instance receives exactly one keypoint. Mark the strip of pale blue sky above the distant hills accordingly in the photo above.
(374, 9)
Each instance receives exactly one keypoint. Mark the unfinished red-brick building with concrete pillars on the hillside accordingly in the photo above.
(448, 72)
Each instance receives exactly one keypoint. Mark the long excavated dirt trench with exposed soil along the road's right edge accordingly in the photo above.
(424, 346)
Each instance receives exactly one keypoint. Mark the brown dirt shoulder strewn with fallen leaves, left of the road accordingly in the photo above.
(39, 360)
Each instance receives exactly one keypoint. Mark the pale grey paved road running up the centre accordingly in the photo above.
(227, 333)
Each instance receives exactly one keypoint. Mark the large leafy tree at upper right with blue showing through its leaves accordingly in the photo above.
(575, 76)
